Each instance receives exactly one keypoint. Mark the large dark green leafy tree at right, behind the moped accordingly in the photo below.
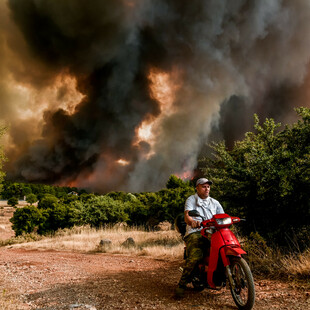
(266, 177)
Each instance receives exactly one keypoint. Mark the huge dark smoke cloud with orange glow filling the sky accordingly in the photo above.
(75, 83)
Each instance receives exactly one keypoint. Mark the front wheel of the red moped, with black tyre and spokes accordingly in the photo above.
(242, 288)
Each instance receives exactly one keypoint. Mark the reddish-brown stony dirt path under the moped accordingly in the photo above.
(61, 280)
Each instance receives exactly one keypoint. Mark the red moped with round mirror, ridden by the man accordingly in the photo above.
(223, 262)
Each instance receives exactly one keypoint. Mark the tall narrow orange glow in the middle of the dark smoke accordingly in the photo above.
(163, 87)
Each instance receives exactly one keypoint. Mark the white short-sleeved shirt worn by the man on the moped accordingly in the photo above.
(206, 208)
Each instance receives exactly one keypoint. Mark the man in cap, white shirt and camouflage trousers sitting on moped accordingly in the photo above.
(195, 242)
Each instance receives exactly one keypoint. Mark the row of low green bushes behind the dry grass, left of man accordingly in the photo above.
(88, 209)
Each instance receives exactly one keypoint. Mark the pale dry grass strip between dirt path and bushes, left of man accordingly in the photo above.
(161, 244)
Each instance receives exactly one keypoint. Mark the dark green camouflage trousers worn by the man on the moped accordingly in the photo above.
(196, 246)
